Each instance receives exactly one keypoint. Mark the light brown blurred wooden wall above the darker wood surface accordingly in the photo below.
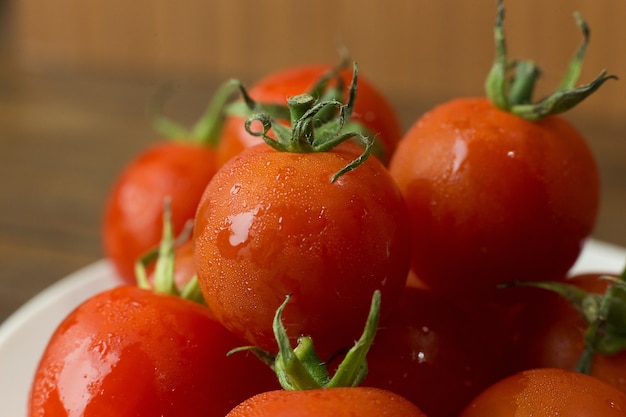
(413, 49)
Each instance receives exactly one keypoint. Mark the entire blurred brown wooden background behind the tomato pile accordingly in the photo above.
(75, 77)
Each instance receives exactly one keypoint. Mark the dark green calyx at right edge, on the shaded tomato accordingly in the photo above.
(605, 315)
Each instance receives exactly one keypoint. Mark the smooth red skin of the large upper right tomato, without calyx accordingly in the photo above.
(494, 198)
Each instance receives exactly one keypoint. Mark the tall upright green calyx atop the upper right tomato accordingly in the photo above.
(510, 85)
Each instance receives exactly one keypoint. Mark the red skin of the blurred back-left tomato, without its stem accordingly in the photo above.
(133, 215)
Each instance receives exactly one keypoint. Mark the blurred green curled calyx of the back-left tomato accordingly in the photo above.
(207, 130)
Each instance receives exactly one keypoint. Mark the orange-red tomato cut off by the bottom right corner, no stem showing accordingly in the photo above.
(548, 392)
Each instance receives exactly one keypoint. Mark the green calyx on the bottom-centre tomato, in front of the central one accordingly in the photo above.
(300, 368)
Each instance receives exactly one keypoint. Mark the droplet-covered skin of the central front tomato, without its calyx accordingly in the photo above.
(273, 223)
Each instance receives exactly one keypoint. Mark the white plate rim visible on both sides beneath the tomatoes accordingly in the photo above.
(24, 335)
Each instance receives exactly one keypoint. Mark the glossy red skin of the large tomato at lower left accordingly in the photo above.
(131, 352)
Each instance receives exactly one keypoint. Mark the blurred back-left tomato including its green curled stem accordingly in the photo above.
(177, 169)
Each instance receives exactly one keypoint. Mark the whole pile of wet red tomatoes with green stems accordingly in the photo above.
(313, 217)
